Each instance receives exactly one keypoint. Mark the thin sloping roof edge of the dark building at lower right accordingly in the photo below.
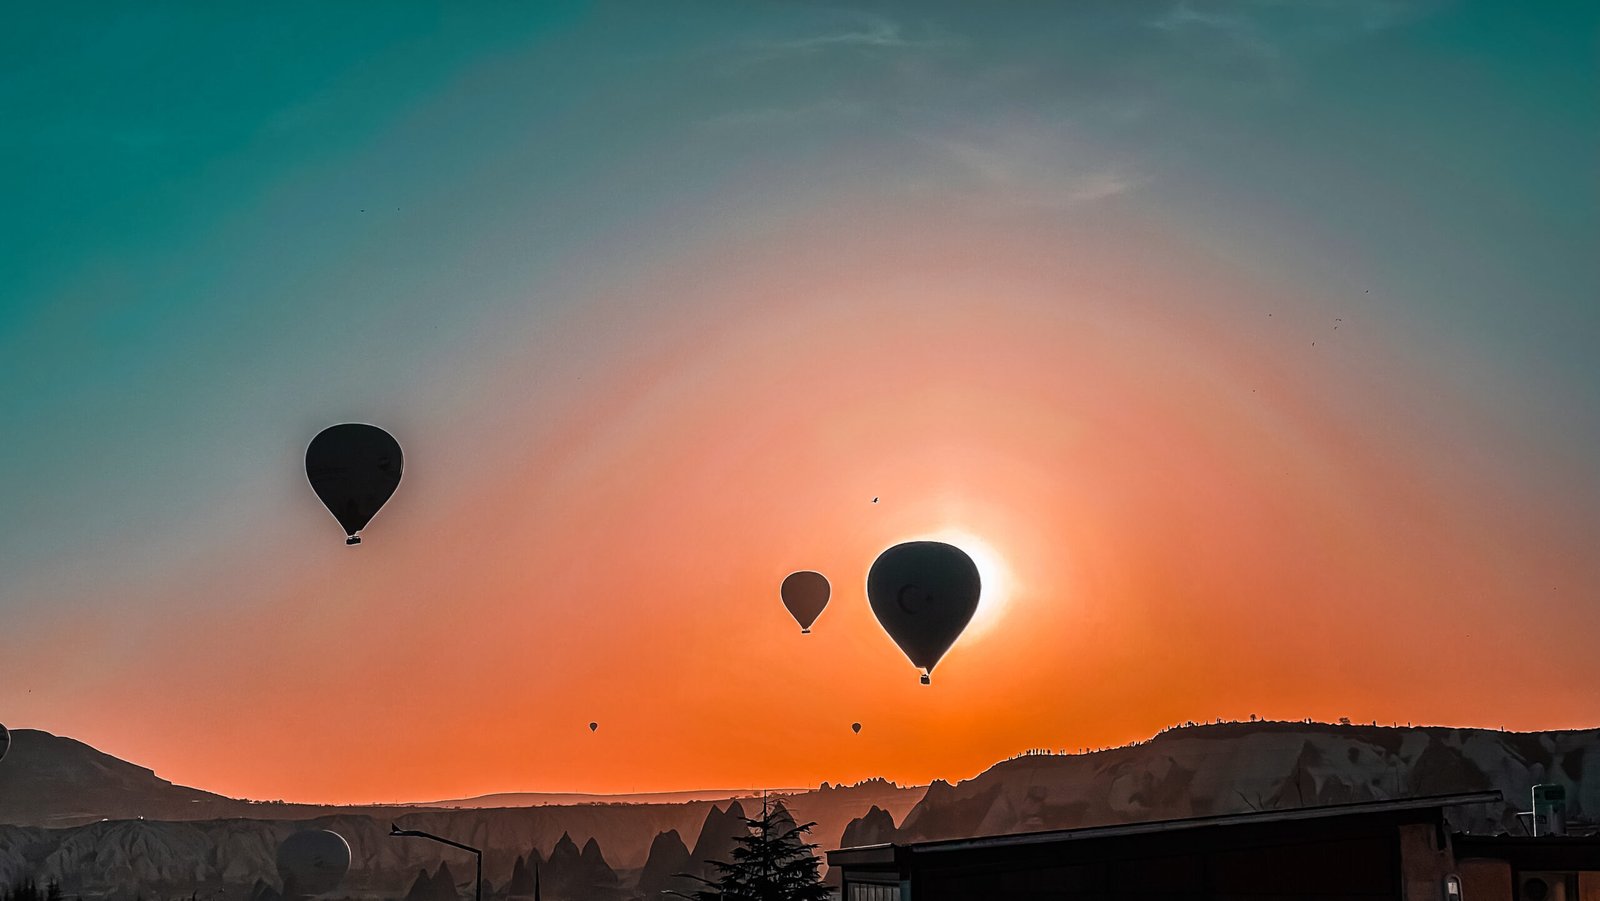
(887, 852)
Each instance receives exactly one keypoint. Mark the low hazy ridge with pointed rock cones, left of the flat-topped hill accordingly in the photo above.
(100, 825)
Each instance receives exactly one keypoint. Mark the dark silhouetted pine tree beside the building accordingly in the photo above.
(770, 863)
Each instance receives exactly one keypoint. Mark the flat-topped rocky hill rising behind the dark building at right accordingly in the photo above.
(1241, 767)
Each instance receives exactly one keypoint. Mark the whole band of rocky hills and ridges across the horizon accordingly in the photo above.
(615, 851)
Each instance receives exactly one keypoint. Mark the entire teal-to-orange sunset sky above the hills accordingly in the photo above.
(1252, 346)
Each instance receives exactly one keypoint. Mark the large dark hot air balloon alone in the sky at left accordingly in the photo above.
(354, 470)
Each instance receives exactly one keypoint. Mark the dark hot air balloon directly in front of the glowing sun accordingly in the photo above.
(924, 595)
